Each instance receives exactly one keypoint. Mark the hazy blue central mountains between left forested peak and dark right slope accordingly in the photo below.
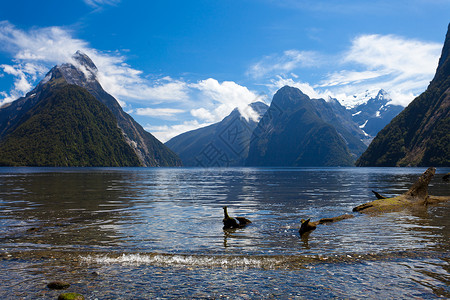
(294, 131)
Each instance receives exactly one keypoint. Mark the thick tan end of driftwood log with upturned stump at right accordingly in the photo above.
(416, 196)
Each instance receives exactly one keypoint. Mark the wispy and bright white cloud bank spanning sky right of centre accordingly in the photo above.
(403, 67)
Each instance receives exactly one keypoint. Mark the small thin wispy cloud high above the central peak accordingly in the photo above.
(288, 61)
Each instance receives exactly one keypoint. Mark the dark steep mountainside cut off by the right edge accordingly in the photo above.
(420, 134)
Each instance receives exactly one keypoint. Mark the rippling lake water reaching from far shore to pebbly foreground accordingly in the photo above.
(147, 233)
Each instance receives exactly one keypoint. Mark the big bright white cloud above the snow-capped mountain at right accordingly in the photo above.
(404, 67)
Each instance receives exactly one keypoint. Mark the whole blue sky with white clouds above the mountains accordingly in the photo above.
(178, 65)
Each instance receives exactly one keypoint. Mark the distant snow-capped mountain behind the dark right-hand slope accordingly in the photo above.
(375, 114)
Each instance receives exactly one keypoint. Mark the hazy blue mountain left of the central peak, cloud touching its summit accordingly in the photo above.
(222, 144)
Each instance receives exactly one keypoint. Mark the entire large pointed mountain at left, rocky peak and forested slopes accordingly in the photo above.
(72, 90)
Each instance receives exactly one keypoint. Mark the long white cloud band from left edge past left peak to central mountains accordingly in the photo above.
(35, 51)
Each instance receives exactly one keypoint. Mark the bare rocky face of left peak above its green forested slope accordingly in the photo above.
(82, 73)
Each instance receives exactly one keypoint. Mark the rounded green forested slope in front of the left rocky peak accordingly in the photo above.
(67, 127)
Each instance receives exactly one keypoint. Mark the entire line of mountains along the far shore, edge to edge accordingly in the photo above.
(68, 119)
